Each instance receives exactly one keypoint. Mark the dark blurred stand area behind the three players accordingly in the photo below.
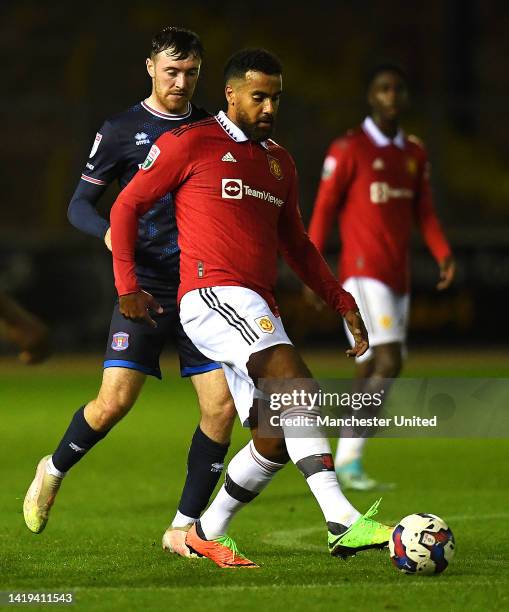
(68, 66)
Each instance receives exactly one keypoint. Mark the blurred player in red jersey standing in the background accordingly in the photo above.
(375, 183)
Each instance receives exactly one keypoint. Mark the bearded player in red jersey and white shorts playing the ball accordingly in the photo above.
(236, 206)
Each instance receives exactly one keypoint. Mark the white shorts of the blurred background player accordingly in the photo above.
(385, 313)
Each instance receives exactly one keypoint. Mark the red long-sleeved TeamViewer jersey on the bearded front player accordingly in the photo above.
(236, 204)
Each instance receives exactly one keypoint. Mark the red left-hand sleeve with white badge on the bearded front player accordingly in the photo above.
(163, 170)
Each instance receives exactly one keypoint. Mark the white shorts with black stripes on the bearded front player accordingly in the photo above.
(229, 324)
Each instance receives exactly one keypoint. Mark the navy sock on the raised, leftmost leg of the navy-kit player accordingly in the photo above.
(78, 440)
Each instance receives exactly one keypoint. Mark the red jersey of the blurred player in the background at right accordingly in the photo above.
(377, 189)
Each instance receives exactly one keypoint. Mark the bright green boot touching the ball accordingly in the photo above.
(364, 534)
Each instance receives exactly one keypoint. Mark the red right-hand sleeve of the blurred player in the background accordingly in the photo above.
(427, 220)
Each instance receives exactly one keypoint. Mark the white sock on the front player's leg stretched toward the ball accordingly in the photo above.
(314, 459)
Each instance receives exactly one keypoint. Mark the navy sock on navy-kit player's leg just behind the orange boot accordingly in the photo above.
(205, 462)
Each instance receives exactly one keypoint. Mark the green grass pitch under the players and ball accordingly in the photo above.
(103, 539)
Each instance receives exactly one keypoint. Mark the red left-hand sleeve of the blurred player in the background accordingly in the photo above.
(337, 173)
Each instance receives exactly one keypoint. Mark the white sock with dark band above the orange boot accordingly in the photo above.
(247, 475)
